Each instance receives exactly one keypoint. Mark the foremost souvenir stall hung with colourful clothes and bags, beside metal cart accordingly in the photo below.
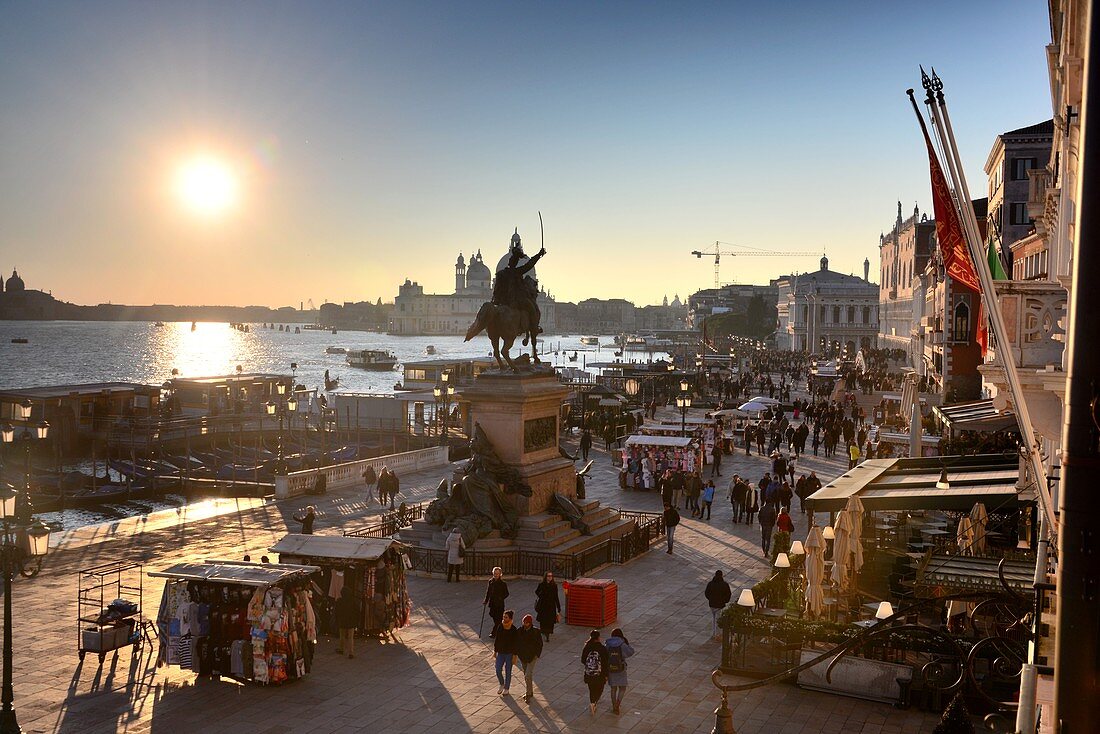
(250, 622)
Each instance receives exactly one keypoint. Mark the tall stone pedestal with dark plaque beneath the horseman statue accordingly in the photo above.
(520, 414)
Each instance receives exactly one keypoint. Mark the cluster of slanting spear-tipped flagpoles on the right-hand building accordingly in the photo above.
(987, 292)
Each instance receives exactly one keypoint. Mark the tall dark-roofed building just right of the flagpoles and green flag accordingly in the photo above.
(1016, 158)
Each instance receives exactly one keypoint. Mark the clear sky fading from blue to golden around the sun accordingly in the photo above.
(373, 143)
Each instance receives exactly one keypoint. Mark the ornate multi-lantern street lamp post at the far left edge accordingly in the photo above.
(17, 557)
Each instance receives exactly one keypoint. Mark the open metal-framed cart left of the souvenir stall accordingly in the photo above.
(104, 627)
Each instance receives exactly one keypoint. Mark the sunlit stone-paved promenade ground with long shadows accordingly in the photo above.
(438, 675)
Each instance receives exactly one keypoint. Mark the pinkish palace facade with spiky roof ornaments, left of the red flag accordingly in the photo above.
(904, 256)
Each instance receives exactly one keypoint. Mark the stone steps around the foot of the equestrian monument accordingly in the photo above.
(544, 532)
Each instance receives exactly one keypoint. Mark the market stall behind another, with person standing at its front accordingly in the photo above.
(372, 568)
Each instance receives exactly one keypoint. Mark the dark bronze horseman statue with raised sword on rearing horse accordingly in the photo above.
(513, 312)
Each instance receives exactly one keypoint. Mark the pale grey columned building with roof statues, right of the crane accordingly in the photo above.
(828, 313)
